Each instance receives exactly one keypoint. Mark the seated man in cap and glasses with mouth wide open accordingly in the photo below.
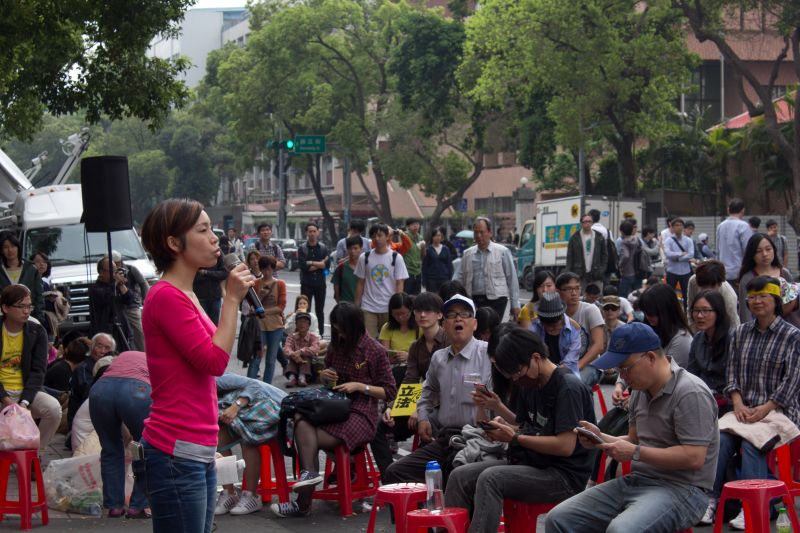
(452, 376)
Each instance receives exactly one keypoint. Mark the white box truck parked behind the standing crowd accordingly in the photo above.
(556, 221)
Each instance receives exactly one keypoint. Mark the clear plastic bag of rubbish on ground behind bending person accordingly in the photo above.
(74, 485)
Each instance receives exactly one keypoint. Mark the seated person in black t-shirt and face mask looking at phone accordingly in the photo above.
(544, 461)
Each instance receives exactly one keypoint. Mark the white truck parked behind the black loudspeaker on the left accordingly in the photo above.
(47, 219)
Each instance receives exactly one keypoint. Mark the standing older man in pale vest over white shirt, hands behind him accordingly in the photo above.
(488, 272)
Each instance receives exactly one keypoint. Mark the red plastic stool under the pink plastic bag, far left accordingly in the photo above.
(27, 461)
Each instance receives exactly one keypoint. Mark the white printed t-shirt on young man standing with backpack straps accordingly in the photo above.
(379, 279)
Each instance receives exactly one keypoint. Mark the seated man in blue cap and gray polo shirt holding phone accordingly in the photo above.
(672, 443)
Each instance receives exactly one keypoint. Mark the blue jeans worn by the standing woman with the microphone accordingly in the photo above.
(182, 492)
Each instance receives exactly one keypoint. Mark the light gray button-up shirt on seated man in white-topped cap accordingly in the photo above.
(444, 384)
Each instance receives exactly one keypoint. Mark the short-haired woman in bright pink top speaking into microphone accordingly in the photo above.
(185, 351)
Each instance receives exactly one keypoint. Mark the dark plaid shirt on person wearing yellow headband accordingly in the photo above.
(763, 366)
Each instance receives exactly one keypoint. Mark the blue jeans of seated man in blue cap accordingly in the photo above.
(630, 504)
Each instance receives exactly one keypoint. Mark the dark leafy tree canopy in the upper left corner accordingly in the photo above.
(87, 56)
